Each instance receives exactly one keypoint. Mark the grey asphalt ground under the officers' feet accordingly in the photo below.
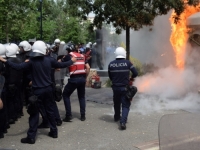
(97, 132)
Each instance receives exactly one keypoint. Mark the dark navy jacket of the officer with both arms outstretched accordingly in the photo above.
(40, 68)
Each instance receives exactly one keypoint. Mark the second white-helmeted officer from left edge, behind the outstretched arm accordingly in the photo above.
(13, 80)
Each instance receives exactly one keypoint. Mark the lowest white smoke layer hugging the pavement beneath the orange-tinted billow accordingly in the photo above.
(146, 104)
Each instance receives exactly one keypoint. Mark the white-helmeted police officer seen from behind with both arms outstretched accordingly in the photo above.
(40, 66)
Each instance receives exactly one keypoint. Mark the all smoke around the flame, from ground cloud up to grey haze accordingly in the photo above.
(169, 88)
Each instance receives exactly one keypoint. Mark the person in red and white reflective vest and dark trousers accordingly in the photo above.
(78, 73)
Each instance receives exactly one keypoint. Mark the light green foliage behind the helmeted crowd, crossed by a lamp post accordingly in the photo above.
(20, 20)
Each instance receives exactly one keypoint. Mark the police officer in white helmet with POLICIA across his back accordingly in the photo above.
(118, 71)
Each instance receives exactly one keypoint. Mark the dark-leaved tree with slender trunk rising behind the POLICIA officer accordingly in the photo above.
(128, 14)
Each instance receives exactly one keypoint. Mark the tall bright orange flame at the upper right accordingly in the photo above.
(179, 34)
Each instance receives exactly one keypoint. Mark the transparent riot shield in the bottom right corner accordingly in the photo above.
(179, 132)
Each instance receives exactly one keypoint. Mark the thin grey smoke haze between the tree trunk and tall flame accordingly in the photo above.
(152, 44)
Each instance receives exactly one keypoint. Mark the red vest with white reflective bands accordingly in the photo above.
(79, 66)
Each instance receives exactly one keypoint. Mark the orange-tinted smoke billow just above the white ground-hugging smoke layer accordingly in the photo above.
(168, 82)
